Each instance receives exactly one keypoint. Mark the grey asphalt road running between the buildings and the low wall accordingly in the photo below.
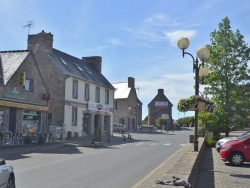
(117, 166)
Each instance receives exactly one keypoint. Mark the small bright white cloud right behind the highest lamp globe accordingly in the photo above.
(175, 35)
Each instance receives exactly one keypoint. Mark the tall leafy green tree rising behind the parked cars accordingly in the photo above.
(229, 74)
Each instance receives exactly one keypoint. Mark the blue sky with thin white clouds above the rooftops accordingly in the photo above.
(135, 38)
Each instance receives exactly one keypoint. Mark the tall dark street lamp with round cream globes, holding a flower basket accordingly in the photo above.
(200, 70)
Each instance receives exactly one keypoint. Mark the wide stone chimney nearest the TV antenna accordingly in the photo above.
(42, 40)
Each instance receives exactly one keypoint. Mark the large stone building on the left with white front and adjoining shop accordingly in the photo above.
(42, 87)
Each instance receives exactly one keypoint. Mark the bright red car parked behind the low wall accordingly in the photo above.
(236, 152)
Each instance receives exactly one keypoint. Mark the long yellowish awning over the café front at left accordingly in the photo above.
(25, 105)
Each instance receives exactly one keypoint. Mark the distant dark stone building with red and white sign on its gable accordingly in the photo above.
(160, 106)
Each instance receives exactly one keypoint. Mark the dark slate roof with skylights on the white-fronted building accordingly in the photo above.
(78, 68)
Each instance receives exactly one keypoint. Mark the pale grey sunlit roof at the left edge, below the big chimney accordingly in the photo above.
(11, 60)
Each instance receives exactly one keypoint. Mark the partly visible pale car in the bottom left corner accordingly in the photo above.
(7, 177)
